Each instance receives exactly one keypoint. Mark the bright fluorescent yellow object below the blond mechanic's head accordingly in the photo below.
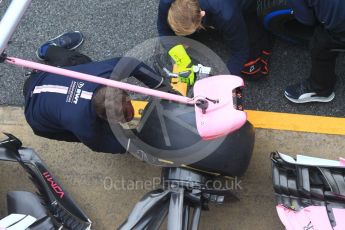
(184, 64)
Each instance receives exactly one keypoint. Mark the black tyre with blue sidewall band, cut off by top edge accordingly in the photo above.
(278, 18)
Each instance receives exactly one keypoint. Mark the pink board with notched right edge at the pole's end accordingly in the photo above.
(217, 115)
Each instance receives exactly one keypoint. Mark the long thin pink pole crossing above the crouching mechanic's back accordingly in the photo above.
(99, 80)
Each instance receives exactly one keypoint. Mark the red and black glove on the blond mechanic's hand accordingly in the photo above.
(258, 68)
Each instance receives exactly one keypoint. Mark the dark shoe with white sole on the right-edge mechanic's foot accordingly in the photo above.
(302, 93)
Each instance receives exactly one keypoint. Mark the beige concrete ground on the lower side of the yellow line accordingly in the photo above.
(95, 179)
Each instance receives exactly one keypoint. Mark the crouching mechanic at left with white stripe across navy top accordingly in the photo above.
(66, 109)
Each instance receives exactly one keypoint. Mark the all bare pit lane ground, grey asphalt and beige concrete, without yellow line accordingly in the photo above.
(111, 28)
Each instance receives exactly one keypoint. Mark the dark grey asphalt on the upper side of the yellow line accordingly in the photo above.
(112, 27)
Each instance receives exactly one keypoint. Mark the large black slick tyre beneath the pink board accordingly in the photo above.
(166, 132)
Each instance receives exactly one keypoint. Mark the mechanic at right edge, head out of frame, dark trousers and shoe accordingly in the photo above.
(329, 37)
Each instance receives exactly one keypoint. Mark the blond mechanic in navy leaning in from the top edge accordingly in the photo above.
(233, 20)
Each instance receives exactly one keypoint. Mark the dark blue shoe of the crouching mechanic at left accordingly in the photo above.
(69, 40)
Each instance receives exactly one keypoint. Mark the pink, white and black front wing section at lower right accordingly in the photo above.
(310, 192)
